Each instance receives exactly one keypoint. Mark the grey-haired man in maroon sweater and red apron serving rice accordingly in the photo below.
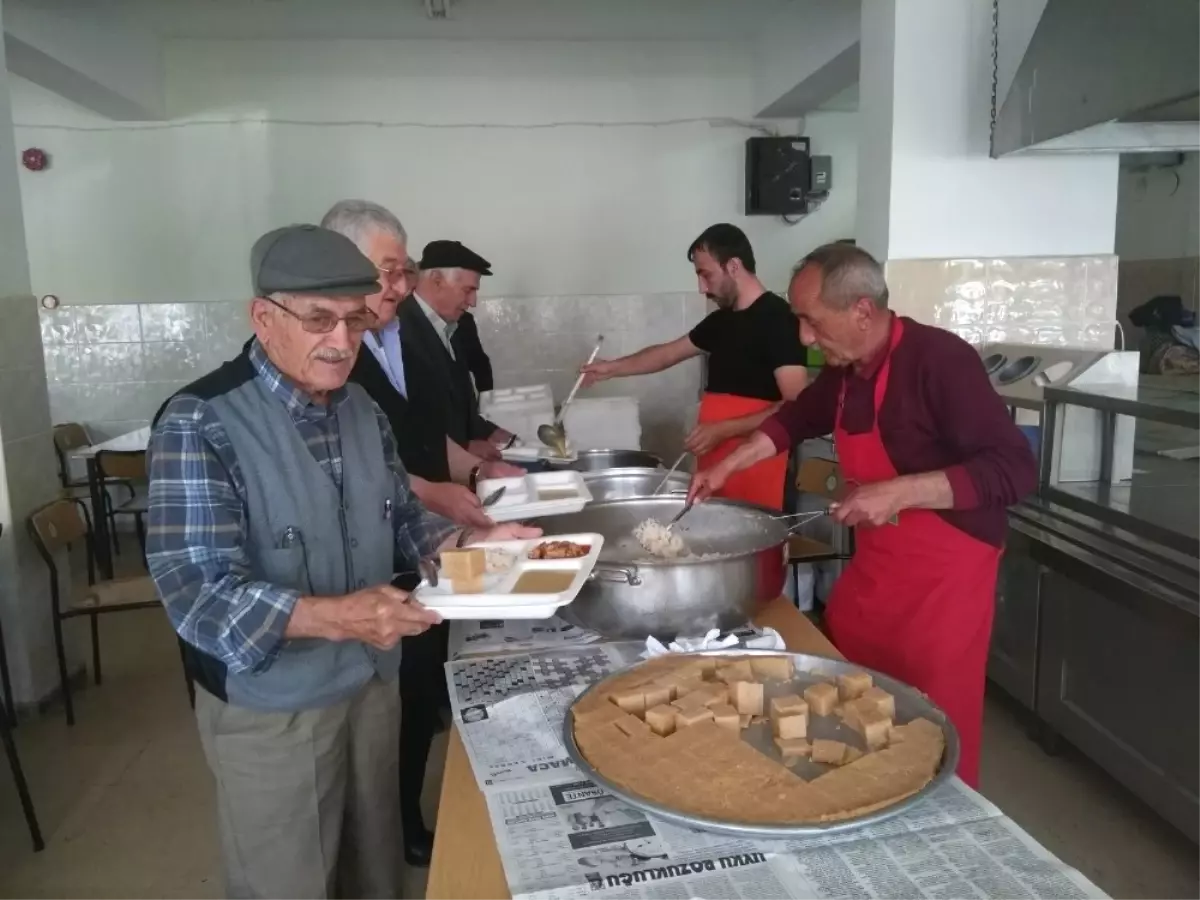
(925, 440)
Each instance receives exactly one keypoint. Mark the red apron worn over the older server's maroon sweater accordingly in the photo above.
(917, 599)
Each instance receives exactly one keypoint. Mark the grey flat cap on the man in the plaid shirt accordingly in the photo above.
(309, 260)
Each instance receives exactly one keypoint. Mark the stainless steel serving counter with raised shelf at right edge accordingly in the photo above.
(1099, 603)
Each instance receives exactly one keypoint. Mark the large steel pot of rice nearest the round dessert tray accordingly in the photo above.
(739, 559)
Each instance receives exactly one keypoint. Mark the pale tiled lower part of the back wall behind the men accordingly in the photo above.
(111, 367)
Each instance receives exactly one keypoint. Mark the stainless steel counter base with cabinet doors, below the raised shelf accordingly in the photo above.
(1099, 633)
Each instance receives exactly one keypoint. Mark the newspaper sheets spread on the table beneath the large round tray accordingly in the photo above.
(562, 837)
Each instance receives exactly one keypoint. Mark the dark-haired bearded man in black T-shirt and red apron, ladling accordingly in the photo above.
(755, 362)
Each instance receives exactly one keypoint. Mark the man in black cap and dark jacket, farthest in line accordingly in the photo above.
(441, 382)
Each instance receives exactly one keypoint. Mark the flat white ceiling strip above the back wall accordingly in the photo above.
(532, 20)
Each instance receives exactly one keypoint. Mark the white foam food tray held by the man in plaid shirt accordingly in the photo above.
(500, 598)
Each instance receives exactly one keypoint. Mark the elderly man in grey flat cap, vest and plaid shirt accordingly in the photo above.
(279, 514)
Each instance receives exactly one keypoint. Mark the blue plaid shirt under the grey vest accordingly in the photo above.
(197, 521)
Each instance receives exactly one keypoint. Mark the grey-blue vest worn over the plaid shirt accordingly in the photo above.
(303, 533)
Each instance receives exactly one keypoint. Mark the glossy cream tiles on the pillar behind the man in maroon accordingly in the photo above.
(1067, 302)
